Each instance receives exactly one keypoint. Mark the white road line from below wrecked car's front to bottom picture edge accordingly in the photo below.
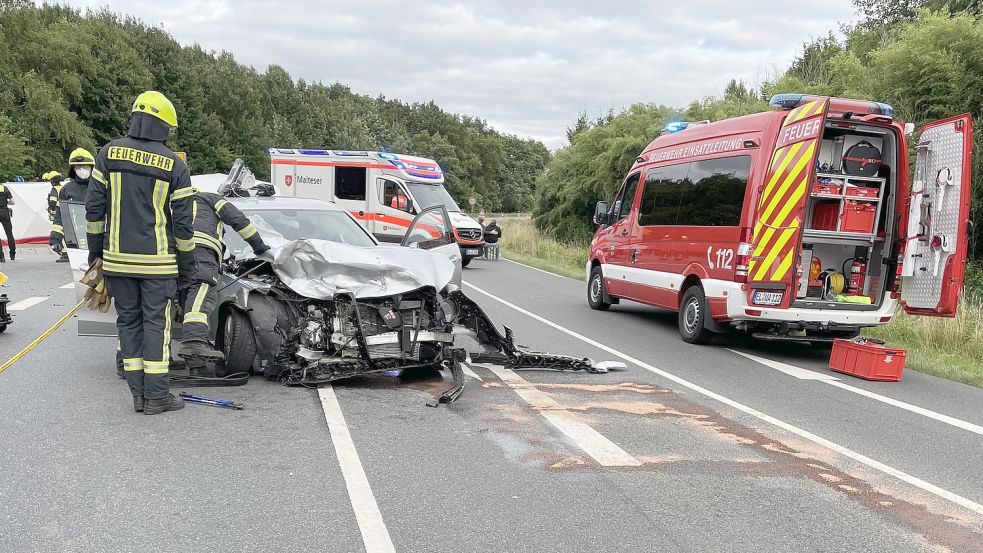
(375, 535)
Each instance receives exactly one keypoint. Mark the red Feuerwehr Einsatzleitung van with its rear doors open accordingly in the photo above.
(797, 224)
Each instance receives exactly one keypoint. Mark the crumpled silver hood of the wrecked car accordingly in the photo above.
(320, 269)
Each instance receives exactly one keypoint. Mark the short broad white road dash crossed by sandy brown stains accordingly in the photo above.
(601, 449)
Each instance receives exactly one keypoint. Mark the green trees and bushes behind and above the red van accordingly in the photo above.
(925, 58)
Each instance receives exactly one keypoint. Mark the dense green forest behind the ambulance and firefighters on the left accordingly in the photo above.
(70, 77)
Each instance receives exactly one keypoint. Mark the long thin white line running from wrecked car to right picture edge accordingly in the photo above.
(876, 465)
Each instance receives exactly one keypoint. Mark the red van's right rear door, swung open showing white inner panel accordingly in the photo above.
(937, 232)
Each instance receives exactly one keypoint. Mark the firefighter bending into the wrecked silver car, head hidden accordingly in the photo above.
(210, 212)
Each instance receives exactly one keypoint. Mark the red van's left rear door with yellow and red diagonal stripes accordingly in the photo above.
(780, 212)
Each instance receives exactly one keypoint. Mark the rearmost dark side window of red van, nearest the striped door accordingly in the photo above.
(716, 195)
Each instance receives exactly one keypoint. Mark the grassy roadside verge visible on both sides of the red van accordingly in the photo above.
(948, 348)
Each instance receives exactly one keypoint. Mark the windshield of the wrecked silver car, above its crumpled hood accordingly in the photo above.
(279, 226)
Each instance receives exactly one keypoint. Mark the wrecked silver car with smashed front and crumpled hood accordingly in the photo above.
(330, 302)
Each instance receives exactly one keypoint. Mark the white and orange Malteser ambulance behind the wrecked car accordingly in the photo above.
(383, 191)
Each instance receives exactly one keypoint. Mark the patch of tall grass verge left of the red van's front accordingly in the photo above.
(524, 243)
